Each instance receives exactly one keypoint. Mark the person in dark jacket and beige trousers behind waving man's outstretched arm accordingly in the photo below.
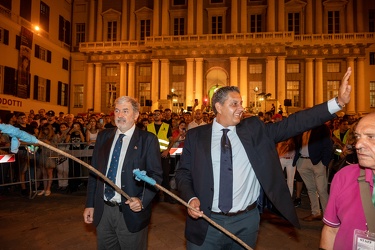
(313, 154)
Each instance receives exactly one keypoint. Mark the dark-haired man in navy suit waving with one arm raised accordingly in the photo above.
(255, 163)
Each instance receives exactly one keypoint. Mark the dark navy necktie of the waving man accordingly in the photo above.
(226, 174)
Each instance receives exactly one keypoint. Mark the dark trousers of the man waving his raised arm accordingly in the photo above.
(245, 226)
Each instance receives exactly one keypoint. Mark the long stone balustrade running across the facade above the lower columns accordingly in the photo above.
(284, 38)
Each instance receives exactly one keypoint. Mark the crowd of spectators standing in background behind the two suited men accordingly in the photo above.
(81, 131)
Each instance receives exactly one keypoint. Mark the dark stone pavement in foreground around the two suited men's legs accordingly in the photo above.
(56, 222)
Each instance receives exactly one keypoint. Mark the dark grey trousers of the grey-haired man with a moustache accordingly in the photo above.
(113, 234)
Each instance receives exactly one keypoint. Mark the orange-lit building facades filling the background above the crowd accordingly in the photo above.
(168, 53)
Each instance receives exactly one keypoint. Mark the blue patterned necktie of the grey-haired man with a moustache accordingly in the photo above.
(112, 171)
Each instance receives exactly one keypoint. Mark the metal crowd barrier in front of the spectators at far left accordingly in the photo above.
(26, 170)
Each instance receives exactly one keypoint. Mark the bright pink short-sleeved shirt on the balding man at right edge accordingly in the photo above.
(344, 208)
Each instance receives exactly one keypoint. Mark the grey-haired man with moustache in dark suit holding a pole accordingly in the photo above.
(121, 223)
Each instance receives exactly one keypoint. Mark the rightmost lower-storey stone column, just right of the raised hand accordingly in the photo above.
(363, 102)
